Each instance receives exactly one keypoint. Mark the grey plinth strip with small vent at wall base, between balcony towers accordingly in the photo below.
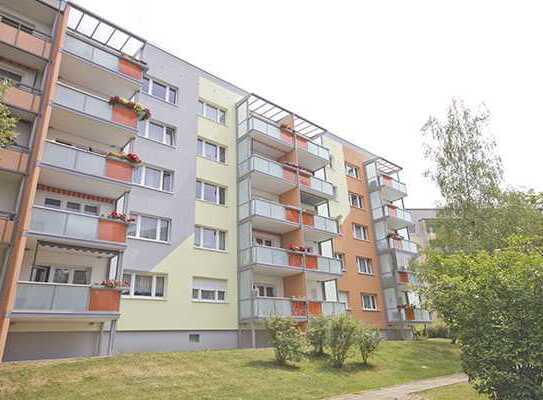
(149, 341)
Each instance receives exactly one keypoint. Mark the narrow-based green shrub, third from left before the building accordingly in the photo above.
(342, 335)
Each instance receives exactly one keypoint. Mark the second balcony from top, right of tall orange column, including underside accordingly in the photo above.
(92, 117)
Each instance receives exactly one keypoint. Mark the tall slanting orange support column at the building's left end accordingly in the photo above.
(9, 285)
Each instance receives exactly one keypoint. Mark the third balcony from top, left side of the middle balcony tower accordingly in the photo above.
(269, 216)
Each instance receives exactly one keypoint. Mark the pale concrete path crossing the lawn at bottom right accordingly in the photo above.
(402, 392)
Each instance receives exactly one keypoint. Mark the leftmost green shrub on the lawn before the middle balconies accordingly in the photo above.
(287, 341)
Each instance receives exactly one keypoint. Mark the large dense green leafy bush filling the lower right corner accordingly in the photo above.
(494, 303)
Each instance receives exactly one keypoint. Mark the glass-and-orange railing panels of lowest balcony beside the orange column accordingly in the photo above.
(47, 297)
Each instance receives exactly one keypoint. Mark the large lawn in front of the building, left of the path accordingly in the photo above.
(221, 375)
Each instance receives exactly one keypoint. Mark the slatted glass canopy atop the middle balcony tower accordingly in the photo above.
(268, 110)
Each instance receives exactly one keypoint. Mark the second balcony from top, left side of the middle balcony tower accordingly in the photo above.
(268, 175)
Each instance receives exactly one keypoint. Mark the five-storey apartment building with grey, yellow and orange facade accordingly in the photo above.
(213, 206)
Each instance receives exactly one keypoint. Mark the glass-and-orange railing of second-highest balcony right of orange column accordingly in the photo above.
(94, 106)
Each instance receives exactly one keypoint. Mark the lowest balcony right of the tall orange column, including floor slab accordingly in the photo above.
(35, 300)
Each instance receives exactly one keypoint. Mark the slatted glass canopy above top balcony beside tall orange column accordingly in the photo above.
(93, 27)
